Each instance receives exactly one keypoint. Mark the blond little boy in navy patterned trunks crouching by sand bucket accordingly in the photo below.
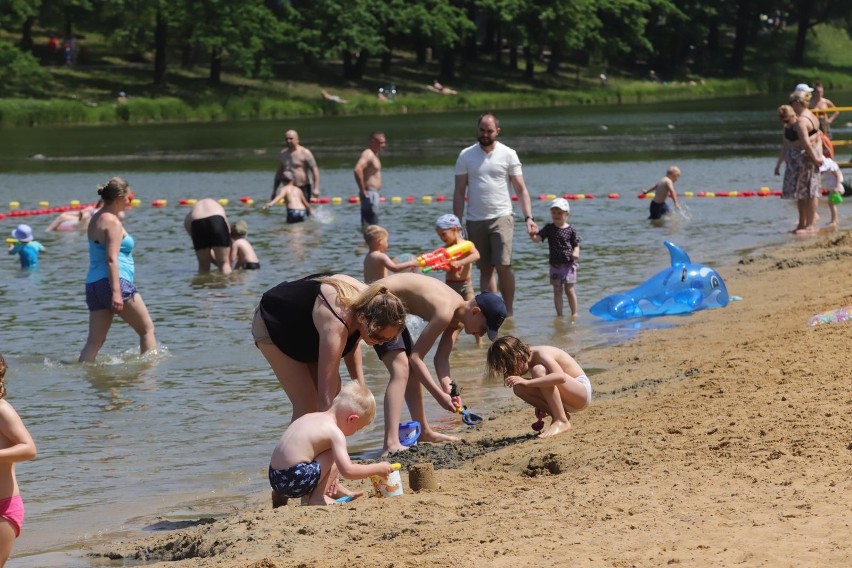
(312, 450)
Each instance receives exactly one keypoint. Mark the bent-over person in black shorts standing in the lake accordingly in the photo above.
(208, 227)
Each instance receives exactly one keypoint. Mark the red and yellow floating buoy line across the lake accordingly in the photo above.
(45, 209)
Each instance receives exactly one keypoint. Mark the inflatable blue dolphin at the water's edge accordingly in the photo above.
(682, 288)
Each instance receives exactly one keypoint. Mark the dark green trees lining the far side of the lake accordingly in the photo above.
(250, 36)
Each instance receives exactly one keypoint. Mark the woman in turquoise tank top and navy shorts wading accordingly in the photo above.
(109, 283)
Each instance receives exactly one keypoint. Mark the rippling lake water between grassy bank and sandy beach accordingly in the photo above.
(187, 433)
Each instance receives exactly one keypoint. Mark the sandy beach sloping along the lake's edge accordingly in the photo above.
(723, 441)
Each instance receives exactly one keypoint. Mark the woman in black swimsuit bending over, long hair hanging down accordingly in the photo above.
(304, 327)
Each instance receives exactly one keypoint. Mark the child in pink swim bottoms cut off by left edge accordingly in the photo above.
(16, 445)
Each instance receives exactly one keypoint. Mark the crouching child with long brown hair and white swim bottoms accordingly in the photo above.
(558, 385)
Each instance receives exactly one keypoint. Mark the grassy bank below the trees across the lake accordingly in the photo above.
(86, 94)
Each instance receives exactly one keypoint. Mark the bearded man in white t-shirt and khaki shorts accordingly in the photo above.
(484, 172)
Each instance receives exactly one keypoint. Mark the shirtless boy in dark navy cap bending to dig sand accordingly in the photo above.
(446, 315)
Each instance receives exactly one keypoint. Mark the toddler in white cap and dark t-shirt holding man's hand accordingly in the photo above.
(564, 252)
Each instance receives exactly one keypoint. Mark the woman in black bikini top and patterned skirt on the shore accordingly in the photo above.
(801, 152)
